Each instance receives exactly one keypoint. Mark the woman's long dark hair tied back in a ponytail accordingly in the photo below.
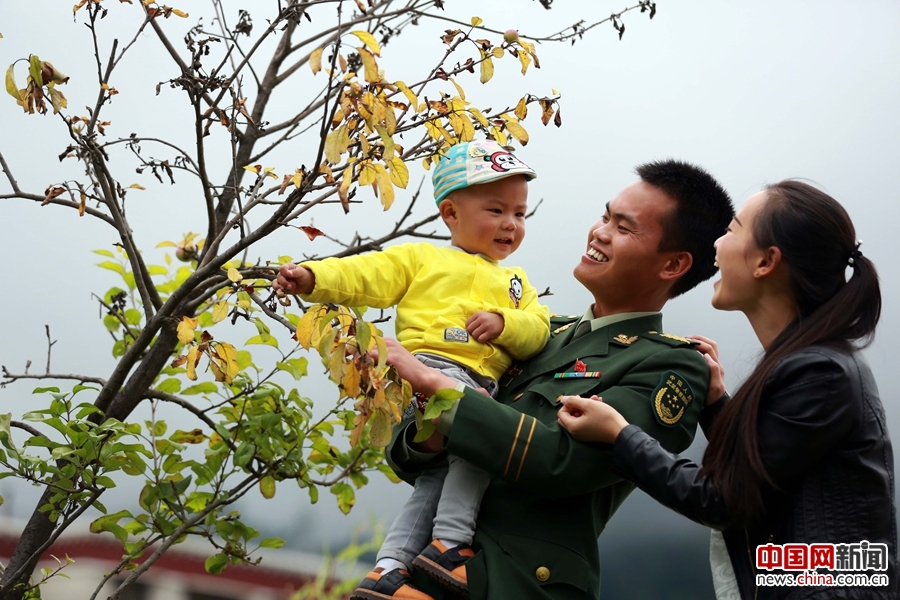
(818, 243)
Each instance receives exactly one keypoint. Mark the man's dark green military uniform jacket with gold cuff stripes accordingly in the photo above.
(550, 496)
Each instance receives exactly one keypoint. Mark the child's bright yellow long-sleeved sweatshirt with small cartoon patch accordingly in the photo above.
(435, 291)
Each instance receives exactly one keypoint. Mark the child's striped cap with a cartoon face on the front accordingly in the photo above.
(471, 163)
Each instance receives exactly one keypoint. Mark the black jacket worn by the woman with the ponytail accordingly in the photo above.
(823, 440)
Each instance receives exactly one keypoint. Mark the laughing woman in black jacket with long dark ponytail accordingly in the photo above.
(800, 453)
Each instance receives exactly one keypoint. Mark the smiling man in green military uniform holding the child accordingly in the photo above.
(550, 496)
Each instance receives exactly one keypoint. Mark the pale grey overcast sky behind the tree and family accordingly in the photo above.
(753, 91)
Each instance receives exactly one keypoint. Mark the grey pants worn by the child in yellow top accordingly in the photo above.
(445, 501)
